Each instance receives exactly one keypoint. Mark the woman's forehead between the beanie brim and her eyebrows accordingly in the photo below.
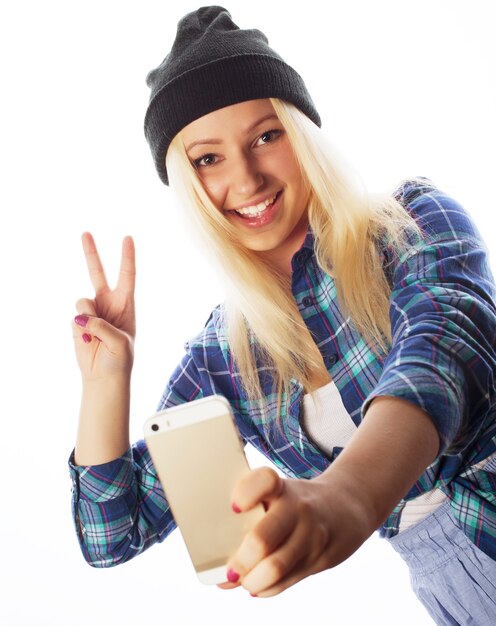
(234, 119)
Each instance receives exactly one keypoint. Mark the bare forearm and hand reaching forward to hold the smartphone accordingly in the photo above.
(313, 525)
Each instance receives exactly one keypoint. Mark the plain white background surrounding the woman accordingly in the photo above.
(403, 88)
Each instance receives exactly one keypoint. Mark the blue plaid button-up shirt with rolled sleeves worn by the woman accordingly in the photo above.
(442, 358)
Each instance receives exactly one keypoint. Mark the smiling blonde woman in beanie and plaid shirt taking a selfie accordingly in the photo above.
(356, 344)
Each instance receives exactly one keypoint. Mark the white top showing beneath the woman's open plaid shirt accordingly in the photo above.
(329, 424)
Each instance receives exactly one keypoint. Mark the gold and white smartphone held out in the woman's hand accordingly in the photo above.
(199, 458)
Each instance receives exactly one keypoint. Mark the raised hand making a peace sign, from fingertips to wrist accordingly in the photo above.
(105, 326)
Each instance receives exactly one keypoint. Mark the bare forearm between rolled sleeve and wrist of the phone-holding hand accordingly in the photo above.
(390, 450)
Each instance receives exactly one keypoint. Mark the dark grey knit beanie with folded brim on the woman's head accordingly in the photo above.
(213, 64)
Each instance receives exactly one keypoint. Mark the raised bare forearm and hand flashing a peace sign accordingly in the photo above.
(104, 332)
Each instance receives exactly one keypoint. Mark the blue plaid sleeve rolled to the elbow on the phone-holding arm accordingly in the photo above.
(443, 323)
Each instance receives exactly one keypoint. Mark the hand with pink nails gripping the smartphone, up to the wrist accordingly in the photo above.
(304, 531)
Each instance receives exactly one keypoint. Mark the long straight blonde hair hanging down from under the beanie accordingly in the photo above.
(347, 223)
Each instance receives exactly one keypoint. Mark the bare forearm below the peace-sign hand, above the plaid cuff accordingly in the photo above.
(103, 432)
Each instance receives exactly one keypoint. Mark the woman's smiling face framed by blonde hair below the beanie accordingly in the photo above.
(247, 167)
